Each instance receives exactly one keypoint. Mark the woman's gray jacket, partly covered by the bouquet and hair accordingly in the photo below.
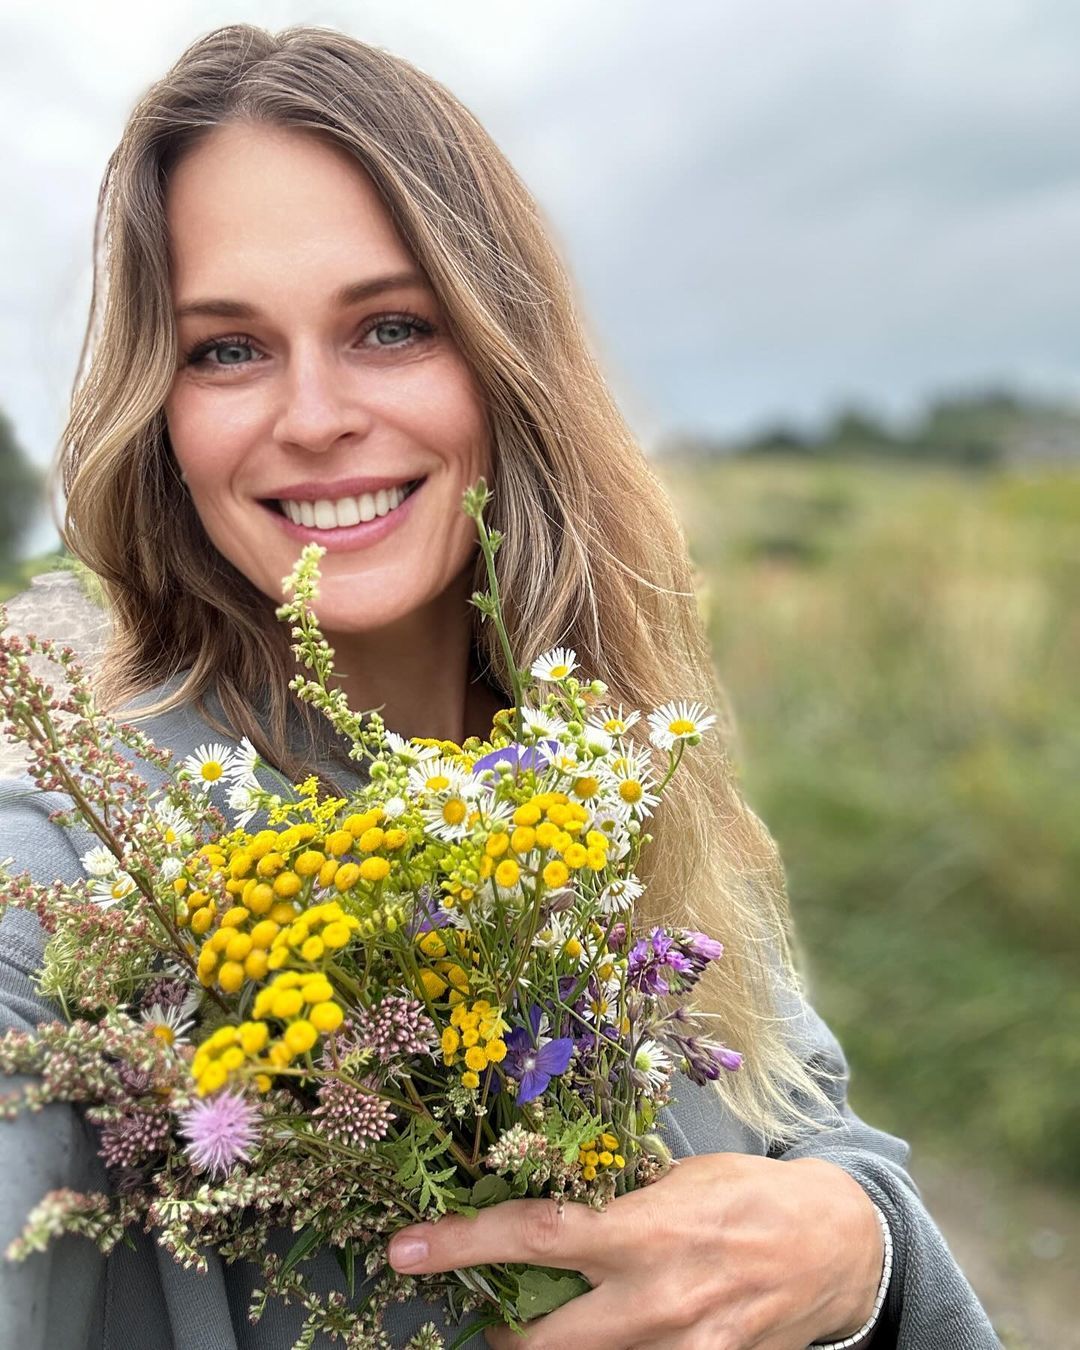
(138, 1299)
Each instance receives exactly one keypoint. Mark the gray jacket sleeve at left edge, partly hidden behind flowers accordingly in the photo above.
(55, 1298)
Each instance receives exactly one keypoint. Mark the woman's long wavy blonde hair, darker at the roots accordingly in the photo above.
(595, 556)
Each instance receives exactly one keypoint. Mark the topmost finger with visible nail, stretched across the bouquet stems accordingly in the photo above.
(569, 1237)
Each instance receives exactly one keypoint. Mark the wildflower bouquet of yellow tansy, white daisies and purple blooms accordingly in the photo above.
(425, 998)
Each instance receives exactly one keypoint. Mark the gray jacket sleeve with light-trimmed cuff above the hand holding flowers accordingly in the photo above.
(931, 1305)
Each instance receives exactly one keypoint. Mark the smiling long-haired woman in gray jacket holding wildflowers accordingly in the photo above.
(331, 307)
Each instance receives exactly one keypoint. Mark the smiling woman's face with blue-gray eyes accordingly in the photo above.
(292, 398)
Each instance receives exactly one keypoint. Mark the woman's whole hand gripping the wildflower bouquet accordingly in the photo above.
(727, 1252)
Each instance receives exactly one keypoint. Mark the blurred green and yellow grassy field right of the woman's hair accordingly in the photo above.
(902, 649)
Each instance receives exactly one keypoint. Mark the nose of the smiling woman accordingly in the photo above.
(321, 403)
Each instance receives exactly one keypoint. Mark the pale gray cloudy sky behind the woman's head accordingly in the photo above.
(769, 207)
